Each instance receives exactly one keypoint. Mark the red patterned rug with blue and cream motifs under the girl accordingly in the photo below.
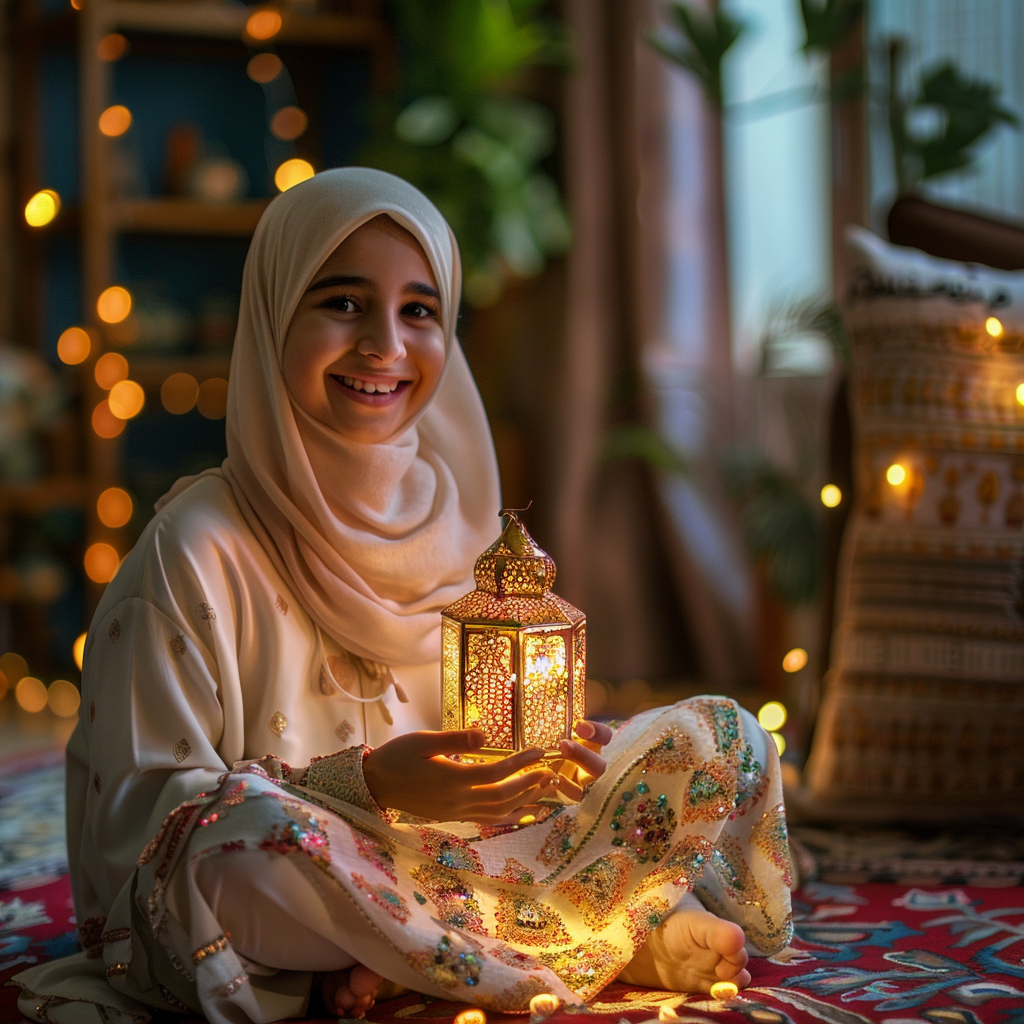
(892, 954)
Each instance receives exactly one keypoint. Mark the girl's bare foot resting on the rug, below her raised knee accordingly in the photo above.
(690, 953)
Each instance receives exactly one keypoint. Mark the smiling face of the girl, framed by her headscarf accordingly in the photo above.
(366, 349)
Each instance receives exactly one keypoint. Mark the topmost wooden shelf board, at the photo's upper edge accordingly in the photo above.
(222, 21)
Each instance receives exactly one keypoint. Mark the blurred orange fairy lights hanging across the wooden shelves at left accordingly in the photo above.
(181, 393)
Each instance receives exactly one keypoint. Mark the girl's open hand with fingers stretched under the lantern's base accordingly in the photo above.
(414, 774)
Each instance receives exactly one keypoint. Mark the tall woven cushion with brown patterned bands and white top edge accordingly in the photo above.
(923, 715)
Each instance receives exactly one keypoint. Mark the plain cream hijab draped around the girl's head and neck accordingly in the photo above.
(374, 540)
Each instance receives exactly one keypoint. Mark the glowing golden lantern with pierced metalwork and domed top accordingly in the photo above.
(514, 655)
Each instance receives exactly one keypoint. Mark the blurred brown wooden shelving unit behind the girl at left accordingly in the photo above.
(102, 218)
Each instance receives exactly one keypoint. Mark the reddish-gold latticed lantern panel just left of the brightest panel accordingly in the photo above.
(490, 687)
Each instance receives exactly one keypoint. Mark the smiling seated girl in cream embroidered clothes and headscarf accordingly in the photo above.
(261, 808)
